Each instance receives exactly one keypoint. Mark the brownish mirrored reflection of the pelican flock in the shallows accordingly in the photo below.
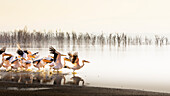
(41, 78)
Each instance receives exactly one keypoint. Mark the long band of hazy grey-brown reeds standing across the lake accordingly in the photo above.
(43, 39)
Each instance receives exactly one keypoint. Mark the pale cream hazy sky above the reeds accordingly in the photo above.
(86, 15)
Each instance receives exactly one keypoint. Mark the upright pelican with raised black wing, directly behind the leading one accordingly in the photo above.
(57, 59)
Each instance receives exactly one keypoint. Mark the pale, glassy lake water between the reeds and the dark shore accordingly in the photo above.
(131, 67)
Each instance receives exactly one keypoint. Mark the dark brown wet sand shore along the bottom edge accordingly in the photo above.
(6, 89)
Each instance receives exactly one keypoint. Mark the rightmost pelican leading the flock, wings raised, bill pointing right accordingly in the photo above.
(75, 61)
